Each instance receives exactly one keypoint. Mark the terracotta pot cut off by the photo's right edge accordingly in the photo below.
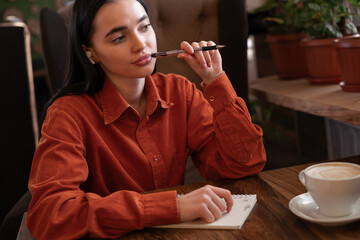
(348, 50)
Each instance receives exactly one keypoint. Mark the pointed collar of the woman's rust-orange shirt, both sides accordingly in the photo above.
(114, 105)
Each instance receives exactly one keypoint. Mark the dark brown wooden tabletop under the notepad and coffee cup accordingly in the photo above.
(270, 218)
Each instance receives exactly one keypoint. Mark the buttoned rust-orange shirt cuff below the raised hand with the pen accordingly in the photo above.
(220, 92)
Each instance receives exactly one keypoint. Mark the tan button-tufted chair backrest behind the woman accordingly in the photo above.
(174, 21)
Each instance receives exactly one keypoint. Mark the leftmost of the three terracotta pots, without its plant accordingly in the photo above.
(288, 55)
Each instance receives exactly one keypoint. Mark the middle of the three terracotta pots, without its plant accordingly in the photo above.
(322, 61)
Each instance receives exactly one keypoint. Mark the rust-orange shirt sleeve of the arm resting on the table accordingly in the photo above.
(59, 209)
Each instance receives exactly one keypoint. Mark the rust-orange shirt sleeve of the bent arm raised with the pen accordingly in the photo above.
(223, 141)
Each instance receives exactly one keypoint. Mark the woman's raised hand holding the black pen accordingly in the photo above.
(207, 64)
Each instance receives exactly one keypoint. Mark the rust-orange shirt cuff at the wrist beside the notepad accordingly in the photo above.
(160, 208)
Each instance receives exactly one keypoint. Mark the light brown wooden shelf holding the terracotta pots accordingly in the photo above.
(321, 100)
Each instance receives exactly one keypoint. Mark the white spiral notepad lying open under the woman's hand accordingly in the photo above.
(243, 204)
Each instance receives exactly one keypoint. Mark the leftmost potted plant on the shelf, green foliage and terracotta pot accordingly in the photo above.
(284, 35)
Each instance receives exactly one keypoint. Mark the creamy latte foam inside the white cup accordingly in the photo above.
(334, 171)
